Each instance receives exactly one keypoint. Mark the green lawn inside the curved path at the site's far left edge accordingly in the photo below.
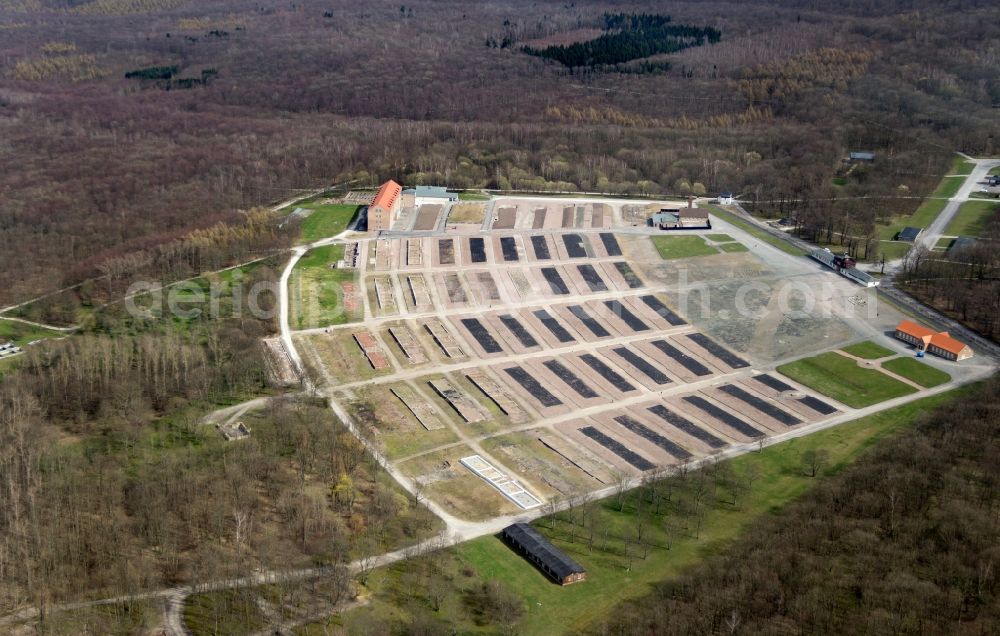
(316, 291)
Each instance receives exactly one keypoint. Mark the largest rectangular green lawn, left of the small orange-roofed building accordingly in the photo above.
(841, 378)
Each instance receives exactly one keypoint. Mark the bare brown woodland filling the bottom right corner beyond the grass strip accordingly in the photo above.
(905, 541)
